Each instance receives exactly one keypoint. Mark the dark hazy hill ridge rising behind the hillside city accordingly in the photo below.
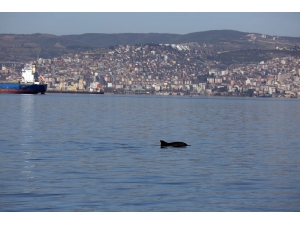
(16, 47)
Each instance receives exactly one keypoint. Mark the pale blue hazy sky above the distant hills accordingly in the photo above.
(62, 23)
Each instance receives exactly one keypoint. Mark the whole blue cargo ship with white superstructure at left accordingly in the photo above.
(30, 83)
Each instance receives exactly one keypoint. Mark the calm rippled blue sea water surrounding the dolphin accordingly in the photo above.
(72, 152)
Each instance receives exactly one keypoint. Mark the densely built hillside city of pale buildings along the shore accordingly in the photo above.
(164, 69)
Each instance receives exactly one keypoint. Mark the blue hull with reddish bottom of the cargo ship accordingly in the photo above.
(23, 88)
